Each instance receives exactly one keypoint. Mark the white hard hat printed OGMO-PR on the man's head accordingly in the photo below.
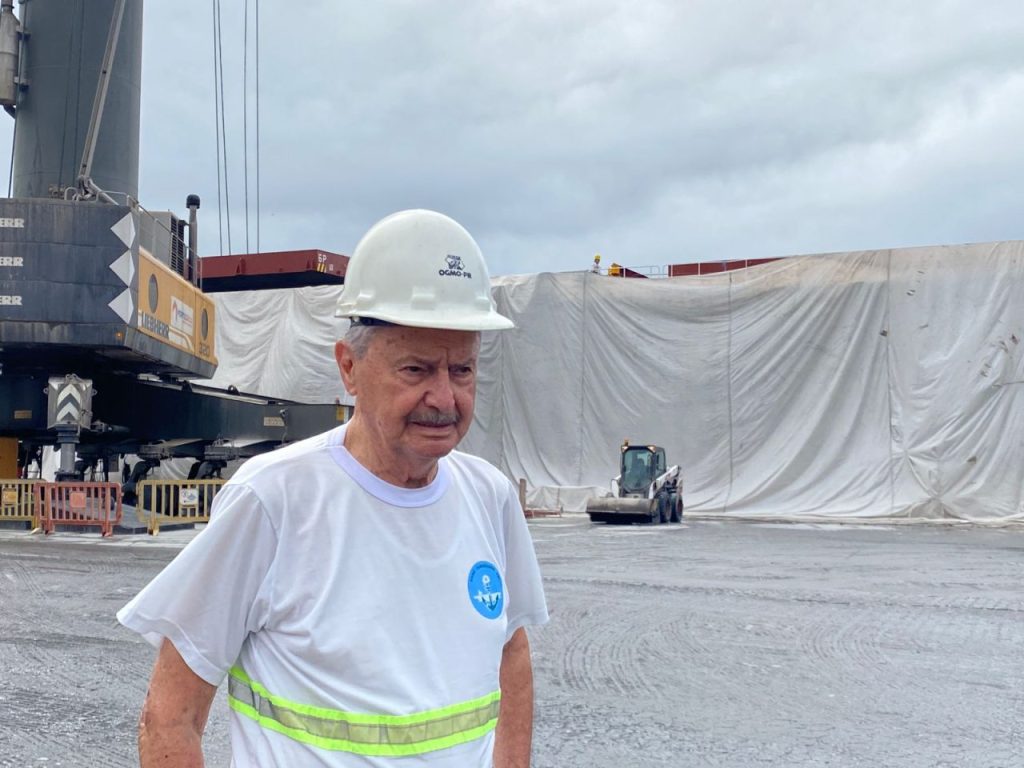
(423, 270)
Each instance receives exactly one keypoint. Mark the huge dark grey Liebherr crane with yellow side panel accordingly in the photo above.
(104, 326)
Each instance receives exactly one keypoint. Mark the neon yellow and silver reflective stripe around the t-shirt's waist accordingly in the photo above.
(385, 736)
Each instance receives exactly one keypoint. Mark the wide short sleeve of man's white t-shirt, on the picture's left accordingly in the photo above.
(217, 591)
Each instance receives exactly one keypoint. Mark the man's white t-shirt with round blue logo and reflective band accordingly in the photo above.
(335, 592)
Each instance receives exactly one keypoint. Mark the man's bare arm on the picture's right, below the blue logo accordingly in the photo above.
(516, 720)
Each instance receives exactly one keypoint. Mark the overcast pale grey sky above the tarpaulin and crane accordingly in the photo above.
(652, 133)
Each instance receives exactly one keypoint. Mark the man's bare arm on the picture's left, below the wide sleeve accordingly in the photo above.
(170, 732)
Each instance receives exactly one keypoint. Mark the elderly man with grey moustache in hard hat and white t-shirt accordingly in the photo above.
(364, 592)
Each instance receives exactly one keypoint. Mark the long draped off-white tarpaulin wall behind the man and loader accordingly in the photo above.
(875, 385)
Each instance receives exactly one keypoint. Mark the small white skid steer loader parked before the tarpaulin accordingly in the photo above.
(645, 491)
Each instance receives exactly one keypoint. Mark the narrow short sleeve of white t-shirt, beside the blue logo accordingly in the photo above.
(527, 605)
